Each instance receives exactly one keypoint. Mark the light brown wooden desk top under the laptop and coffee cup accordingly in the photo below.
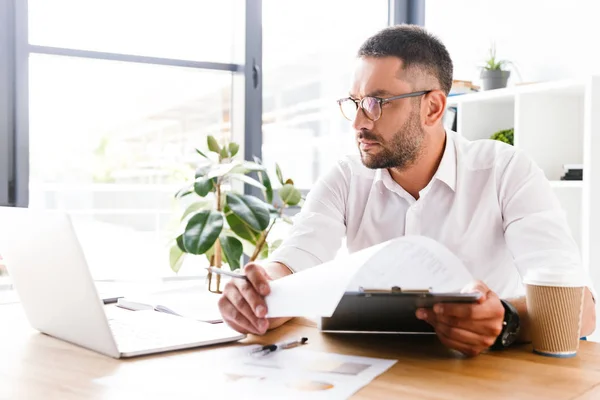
(35, 366)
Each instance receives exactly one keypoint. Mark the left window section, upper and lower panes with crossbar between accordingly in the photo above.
(111, 137)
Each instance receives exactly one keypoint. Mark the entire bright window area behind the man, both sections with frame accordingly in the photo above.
(120, 92)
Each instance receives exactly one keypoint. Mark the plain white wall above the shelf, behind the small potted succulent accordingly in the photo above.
(546, 39)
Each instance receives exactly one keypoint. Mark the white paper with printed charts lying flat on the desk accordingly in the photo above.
(298, 373)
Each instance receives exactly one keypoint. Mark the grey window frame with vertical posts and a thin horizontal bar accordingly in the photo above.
(247, 89)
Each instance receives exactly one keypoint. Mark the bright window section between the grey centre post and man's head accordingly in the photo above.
(308, 62)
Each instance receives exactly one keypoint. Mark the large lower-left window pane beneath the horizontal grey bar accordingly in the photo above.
(111, 142)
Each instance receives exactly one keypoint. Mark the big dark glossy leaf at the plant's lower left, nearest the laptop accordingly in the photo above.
(202, 230)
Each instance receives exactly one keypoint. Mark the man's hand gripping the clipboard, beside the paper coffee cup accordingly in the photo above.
(468, 328)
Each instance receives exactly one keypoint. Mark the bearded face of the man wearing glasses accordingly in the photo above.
(395, 139)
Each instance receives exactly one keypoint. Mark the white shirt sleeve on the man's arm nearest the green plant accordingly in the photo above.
(318, 229)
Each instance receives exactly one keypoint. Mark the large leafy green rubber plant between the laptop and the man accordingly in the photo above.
(223, 223)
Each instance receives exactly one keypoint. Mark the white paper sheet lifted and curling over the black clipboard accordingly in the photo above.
(410, 262)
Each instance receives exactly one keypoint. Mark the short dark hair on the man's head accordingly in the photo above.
(415, 47)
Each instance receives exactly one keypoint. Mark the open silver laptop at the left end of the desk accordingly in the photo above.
(50, 274)
